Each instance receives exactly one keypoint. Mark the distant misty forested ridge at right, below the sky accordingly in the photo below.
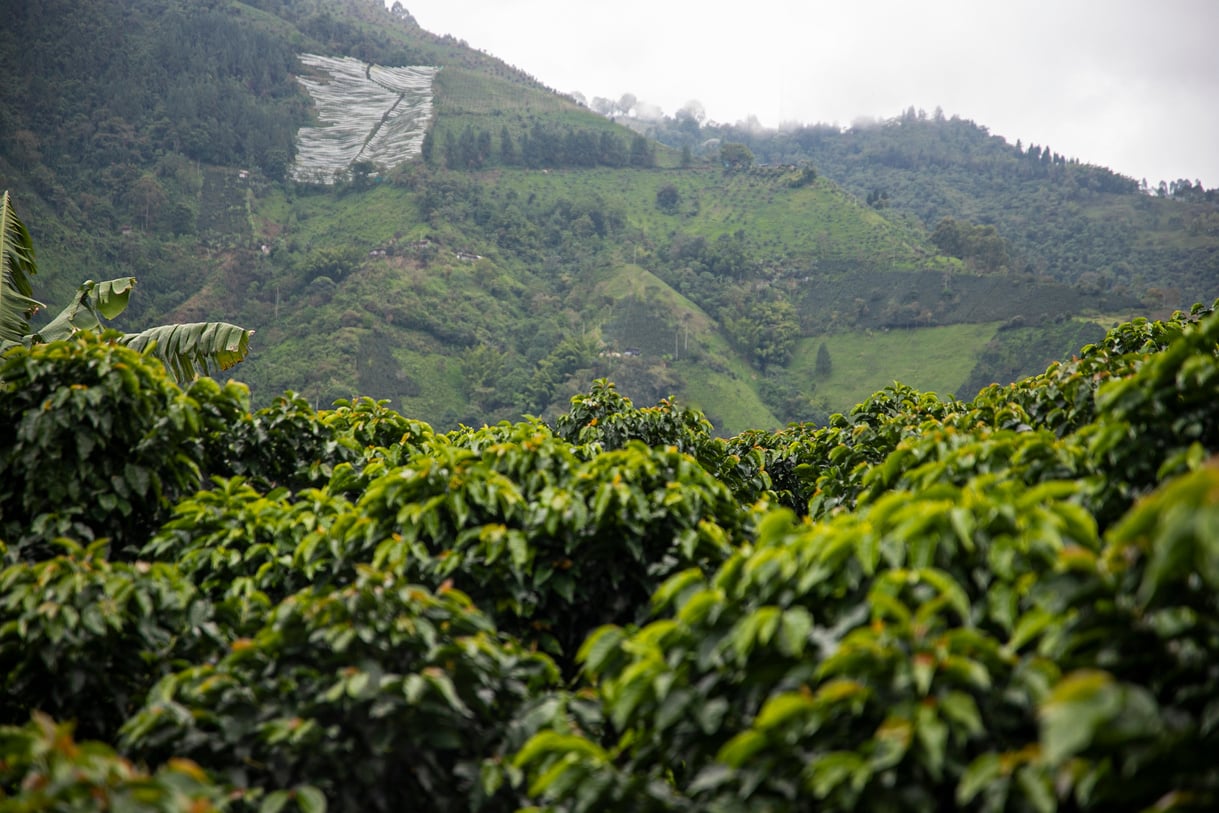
(994, 203)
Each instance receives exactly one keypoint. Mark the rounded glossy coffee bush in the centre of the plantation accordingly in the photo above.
(547, 544)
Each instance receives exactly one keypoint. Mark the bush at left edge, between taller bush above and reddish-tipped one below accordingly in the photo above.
(85, 639)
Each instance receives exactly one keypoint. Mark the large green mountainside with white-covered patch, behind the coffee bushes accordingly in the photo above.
(476, 248)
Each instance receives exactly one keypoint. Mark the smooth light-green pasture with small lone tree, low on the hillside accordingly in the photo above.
(933, 360)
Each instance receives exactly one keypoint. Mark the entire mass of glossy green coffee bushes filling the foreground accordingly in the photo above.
(999, 605)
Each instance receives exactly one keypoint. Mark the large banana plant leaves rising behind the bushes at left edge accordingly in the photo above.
(188, 350)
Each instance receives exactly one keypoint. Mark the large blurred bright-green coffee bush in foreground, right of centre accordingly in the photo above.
(862, 662)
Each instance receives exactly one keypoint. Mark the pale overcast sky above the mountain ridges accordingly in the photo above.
(1129, 85)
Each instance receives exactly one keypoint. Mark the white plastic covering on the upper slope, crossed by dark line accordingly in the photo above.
(368, 113)
